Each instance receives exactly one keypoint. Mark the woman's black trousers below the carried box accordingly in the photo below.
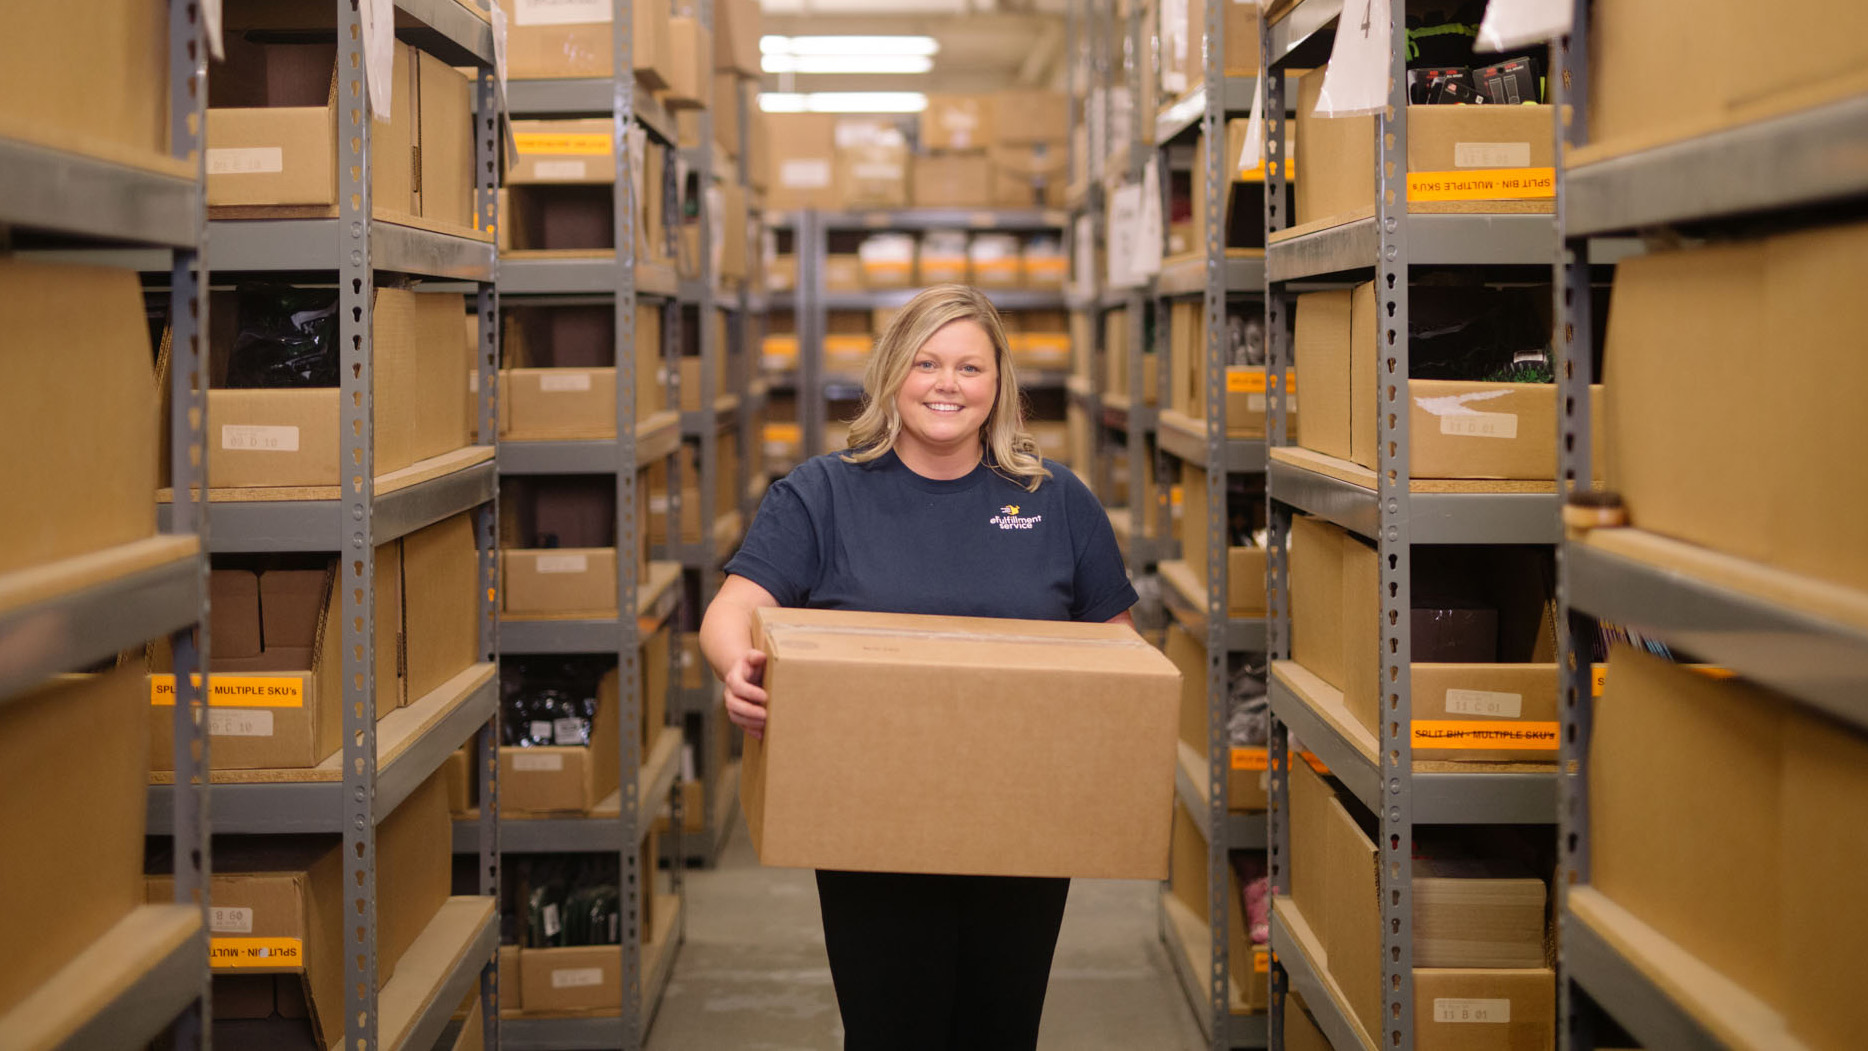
(941, 962)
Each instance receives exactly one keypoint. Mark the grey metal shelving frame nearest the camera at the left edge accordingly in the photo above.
(147, 975)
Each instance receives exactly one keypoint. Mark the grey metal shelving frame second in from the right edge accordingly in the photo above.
(1387, 507)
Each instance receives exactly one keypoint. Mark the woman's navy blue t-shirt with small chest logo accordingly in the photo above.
(881, 539)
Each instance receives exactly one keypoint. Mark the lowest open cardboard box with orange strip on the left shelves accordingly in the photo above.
(283, 897)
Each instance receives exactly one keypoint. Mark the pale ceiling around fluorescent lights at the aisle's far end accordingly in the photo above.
(984, 44)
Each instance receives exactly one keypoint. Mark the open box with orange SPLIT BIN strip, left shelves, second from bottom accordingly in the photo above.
(285, 708)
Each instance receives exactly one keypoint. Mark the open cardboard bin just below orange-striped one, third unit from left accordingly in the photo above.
(561, 382)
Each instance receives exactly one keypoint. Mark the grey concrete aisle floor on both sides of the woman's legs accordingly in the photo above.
(754, 977)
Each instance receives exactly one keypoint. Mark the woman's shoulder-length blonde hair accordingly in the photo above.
(1010, 447)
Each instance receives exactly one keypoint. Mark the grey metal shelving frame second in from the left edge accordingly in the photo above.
(382, 763)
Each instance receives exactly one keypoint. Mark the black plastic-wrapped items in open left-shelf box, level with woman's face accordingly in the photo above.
(287, 337)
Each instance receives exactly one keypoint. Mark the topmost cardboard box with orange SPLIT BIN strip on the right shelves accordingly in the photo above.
(1337, 156)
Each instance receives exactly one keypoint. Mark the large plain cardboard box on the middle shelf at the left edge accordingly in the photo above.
(81, 402)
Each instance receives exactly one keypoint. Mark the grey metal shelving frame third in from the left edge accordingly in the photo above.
(627, 285)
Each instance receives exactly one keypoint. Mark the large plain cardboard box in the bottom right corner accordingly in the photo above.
(1792, 785)
